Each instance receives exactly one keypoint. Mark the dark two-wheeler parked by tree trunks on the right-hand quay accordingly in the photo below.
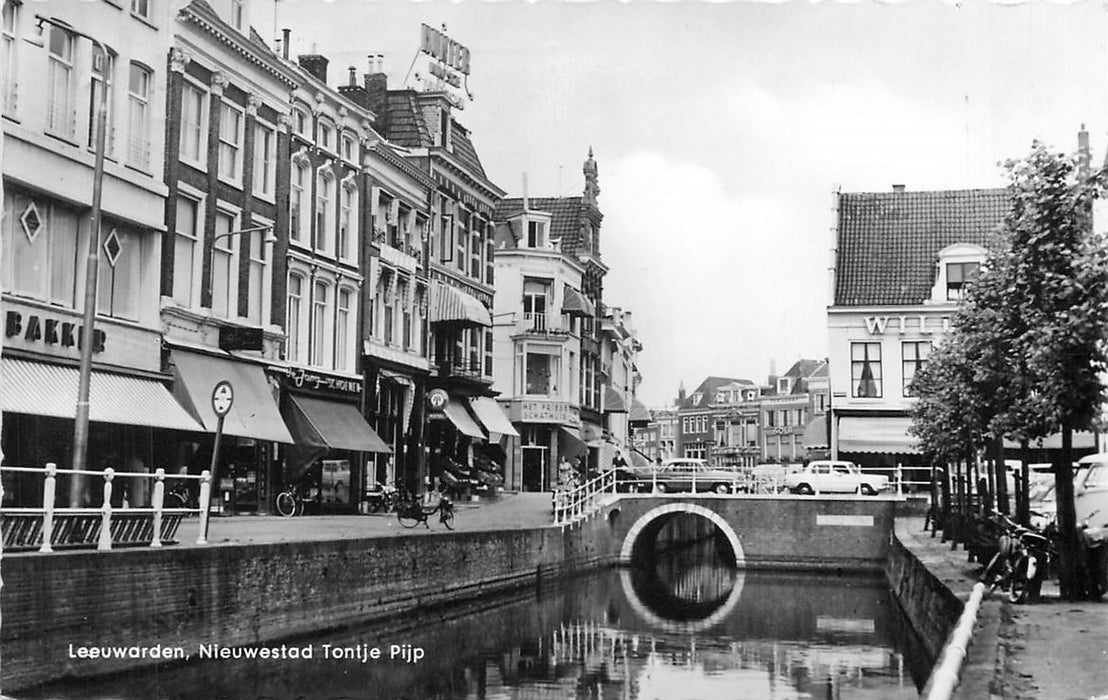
(1022, 561)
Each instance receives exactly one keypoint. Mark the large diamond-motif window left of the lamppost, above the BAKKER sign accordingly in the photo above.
(40, 244)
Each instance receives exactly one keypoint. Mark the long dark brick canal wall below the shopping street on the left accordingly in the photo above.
(254, 594)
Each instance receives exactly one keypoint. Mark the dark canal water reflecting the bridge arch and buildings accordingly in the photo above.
(682, 625)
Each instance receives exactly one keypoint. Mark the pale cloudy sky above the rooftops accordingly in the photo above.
(722, 130)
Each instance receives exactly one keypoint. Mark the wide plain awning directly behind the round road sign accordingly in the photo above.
(254, 413)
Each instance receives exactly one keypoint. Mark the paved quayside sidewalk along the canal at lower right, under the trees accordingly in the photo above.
(1050, 651)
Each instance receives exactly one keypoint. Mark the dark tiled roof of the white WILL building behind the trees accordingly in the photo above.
(889, 242)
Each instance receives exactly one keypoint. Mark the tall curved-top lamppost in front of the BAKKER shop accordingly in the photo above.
(93, 260)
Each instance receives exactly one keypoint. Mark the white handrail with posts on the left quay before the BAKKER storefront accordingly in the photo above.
(50, 512)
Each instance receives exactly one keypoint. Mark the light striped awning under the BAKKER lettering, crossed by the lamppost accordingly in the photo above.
(42, 389)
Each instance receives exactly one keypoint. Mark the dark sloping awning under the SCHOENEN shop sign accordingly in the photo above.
(333, 425)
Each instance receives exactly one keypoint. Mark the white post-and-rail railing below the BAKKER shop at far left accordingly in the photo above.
(49, 526)
